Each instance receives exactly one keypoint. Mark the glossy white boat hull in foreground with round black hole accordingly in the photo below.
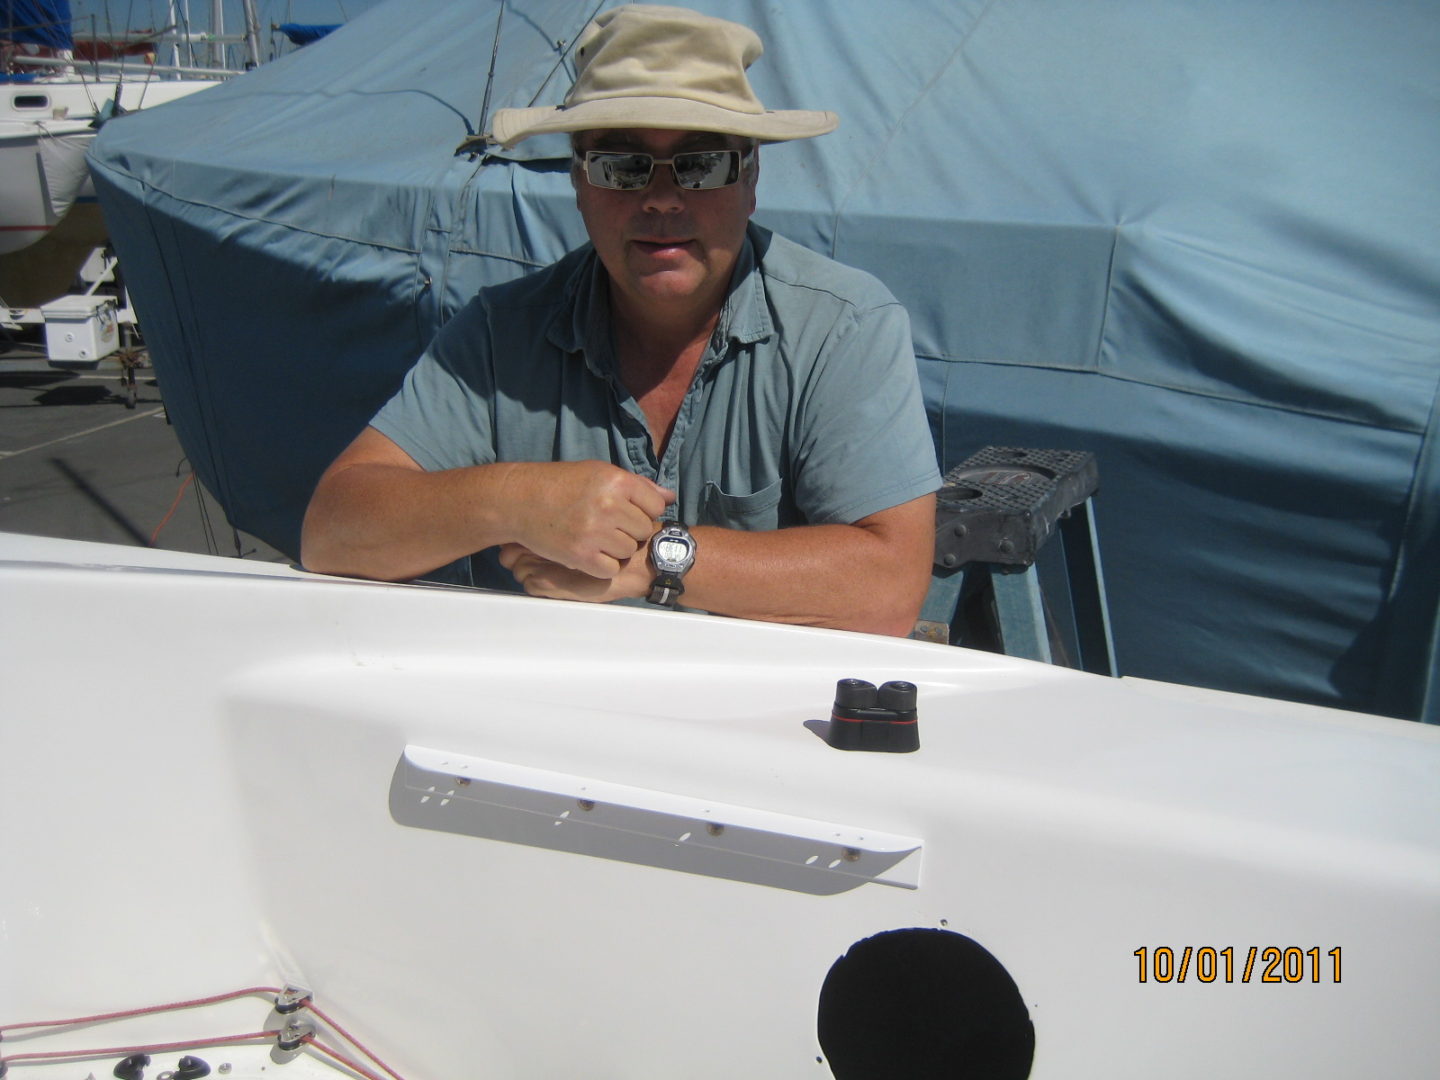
(217, 775)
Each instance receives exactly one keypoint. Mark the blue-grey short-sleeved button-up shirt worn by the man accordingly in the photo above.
(806, 408)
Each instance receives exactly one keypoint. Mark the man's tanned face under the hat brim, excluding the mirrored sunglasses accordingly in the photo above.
(666, 246)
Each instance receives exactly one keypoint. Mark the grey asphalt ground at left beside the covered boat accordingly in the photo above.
(77, 463)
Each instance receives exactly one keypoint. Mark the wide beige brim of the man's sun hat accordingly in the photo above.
(676, 114)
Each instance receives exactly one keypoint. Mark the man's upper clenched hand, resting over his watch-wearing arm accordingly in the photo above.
(585, 516)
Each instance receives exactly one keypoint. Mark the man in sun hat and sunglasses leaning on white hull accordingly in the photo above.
(688, 407)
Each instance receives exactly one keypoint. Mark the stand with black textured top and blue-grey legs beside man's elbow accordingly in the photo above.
(994, 515)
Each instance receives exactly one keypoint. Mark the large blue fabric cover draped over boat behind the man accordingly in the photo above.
(1200, 238)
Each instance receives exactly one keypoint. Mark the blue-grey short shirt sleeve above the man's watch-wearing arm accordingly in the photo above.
(863, 440)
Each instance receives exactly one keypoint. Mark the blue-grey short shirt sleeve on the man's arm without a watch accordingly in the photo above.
(443, 415)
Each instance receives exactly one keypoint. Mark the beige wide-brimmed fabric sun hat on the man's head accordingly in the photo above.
(650, 67)
